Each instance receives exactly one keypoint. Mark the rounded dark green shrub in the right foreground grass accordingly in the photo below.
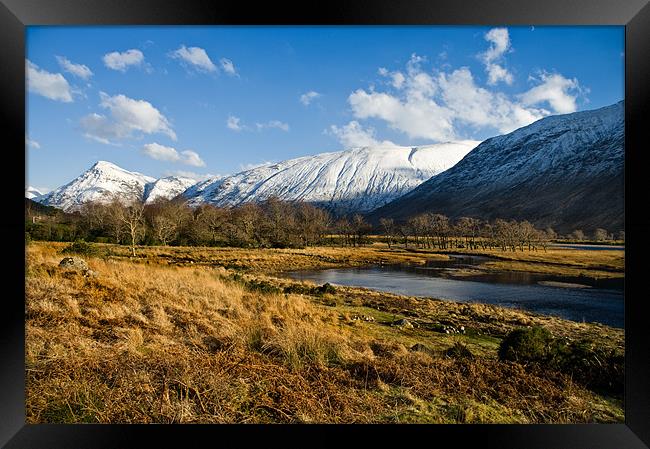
(526, 345)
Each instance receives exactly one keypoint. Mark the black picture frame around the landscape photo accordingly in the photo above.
(633, 14)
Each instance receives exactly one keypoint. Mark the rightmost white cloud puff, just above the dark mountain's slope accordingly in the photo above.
(556, 90)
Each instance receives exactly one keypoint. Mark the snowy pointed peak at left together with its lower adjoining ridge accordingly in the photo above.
(104, 180)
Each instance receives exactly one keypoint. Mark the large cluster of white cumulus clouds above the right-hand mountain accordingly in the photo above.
(433, 104)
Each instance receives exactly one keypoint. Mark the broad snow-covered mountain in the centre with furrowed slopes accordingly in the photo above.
(359, 179)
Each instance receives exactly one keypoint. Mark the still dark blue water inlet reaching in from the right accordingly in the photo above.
(573, 298)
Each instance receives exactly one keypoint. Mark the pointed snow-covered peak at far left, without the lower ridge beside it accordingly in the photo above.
(98, 183)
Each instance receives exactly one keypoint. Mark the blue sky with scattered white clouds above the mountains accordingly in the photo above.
(201, 101)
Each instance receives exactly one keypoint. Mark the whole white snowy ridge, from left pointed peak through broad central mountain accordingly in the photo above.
(356, 179)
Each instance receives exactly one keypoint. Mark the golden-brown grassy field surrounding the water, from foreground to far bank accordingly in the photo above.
(179, 335)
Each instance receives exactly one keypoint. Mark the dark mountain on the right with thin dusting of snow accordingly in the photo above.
(564, 171)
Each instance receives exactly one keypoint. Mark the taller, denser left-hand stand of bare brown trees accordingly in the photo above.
(272, 223)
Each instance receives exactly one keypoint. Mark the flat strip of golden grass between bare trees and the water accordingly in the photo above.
(558, 261)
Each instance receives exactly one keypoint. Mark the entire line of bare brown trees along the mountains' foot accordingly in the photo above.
(276, 223)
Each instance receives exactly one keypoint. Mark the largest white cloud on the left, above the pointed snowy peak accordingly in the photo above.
(127, 116)
